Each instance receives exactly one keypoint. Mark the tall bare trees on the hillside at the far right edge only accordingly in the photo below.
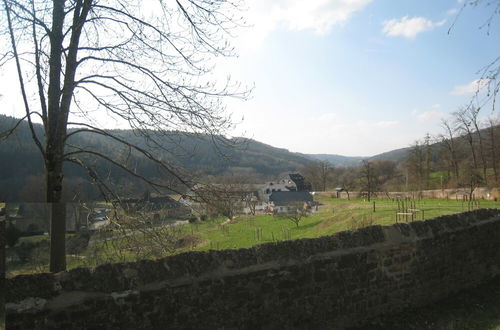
(464, 155)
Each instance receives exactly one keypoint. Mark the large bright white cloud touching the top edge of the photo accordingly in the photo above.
(320, 16)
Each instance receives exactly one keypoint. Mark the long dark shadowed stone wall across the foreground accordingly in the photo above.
(330, 282)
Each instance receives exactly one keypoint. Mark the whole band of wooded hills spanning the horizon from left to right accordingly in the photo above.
(451, 159)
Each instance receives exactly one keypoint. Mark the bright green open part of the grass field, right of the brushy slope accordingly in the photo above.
(334, 215)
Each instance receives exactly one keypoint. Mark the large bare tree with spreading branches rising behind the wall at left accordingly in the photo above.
(150, 69)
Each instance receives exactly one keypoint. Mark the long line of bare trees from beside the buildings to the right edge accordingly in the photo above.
(465, 154)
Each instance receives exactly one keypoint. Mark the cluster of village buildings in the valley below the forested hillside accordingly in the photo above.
(290, 195)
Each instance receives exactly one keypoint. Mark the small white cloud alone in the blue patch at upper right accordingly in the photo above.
(408, 27)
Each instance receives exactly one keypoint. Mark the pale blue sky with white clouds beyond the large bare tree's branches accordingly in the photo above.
(349, 77)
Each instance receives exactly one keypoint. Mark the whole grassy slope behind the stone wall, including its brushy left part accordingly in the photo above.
(334, 215)
